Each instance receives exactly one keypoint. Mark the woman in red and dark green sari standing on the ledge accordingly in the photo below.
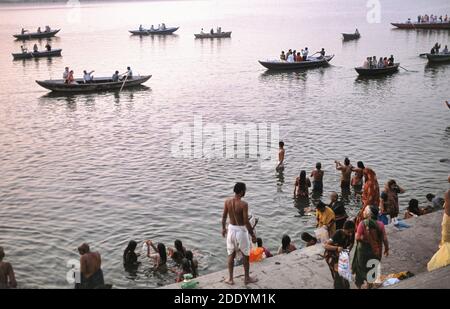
(370, 237)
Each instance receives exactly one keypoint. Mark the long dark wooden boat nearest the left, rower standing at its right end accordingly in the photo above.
(98, 85)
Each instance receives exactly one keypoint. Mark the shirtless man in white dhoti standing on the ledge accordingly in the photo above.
(238, 231)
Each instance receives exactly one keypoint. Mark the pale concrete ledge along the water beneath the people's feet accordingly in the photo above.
(410, 250)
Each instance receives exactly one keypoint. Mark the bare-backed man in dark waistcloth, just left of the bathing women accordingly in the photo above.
(90, 268)
